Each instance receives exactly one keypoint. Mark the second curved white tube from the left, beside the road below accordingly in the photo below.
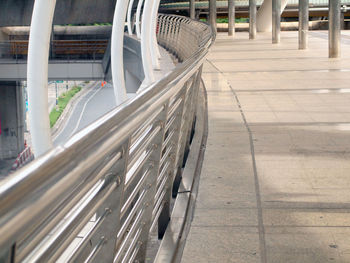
(117, 43)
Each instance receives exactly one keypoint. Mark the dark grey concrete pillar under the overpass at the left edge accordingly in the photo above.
(11, 119)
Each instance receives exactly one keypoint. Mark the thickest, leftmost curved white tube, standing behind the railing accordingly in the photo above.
(37, 75)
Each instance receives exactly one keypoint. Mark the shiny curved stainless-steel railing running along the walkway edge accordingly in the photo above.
(97, 197)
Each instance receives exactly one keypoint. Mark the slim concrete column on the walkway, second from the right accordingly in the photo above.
(303, 23)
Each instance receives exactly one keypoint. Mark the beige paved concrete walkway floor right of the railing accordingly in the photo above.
(275, 183)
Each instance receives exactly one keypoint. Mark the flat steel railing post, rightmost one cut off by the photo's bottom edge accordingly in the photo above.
(151, 183)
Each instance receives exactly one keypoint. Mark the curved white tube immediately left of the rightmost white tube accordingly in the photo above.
(146, 31)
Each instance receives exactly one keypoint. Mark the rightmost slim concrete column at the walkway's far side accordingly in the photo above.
(334, 28)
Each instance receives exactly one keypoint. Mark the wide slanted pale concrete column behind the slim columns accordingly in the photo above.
(264, 15)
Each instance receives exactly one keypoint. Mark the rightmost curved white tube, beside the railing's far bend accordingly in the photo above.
(153, 38)
